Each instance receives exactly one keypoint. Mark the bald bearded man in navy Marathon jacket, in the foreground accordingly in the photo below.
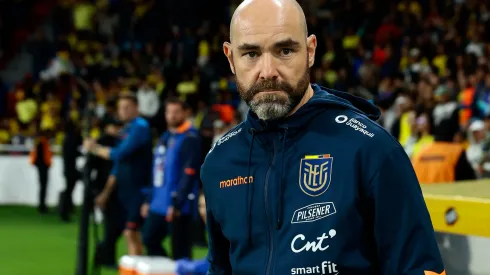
(309, 183)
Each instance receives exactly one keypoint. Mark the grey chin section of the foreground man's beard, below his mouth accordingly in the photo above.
(269, 108)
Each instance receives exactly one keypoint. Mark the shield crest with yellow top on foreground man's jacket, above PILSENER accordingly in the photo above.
(315, 174)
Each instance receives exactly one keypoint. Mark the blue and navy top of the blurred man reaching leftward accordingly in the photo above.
(132, 159)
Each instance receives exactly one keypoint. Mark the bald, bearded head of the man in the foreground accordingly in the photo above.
(270, 54)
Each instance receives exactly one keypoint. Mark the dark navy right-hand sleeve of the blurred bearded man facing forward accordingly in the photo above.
(191, 154)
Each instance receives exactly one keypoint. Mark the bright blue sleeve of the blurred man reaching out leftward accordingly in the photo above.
(138, 135)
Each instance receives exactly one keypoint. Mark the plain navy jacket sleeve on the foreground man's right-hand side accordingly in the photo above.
(403, 231)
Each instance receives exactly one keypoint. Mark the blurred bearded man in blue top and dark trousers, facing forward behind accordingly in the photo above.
(175, 185)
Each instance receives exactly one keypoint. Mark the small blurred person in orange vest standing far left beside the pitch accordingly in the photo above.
(41, 157)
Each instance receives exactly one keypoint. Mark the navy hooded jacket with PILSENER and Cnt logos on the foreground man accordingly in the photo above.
(324, 191)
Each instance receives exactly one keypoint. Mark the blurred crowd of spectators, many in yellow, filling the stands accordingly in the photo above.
(424, 63)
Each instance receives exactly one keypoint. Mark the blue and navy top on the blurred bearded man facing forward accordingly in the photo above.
(177, 158)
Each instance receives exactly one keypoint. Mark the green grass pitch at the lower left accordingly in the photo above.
(33, 244)
